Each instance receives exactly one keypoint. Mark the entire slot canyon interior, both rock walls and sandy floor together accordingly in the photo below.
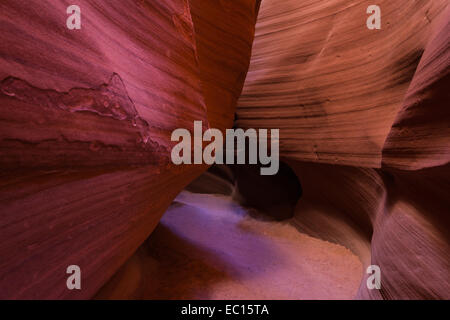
(86, 118)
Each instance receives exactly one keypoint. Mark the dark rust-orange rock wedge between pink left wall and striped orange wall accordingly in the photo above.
(224, 36)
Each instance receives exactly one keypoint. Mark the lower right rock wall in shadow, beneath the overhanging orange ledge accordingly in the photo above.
(395, 219)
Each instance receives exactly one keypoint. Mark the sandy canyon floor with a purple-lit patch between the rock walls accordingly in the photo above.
(207, 247)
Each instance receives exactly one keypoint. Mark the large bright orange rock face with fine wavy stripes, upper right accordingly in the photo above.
(330, 84)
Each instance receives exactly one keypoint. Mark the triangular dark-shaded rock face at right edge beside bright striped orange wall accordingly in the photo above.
(419, 137)
